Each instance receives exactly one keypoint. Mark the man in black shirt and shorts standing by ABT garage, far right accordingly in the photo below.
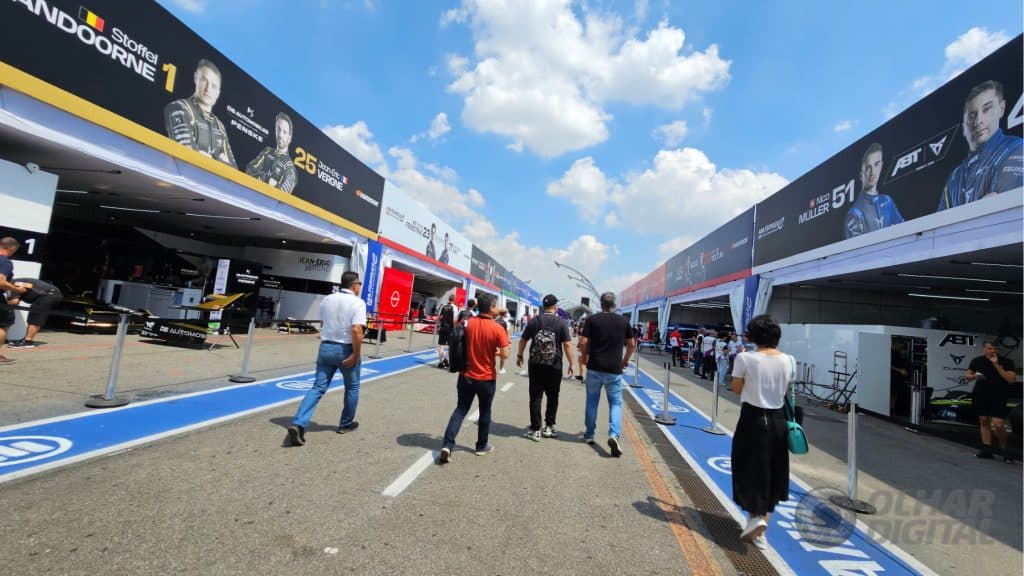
(993, 376)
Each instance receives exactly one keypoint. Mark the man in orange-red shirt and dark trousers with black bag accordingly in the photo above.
(485, 340)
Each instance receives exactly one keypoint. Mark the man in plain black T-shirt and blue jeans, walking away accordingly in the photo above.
(602, 345)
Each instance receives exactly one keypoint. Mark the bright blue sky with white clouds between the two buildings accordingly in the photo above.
(607, 135)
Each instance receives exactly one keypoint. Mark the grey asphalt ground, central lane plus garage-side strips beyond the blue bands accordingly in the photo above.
(234, 499)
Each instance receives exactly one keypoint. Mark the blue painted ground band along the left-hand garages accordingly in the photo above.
(33, 447)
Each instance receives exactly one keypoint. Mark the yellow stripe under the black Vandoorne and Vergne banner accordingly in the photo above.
(45, 92)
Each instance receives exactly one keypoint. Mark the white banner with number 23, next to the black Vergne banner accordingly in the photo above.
(407, 222)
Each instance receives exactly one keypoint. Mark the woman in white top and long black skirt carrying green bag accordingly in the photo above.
(760, 451)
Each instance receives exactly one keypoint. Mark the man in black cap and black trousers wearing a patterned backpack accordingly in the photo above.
(551, 339)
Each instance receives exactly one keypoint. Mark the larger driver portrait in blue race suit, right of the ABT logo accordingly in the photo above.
(996, 161)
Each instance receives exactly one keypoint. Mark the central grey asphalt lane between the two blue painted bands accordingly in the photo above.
(235, 500)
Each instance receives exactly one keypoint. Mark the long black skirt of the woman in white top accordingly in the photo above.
(760, 461)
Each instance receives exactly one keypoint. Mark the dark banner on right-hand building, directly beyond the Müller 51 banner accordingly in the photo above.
(721, 257)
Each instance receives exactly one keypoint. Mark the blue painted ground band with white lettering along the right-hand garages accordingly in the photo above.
(806, 534)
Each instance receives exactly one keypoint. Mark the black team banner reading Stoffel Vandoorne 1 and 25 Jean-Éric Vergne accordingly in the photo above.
(139, 62)
